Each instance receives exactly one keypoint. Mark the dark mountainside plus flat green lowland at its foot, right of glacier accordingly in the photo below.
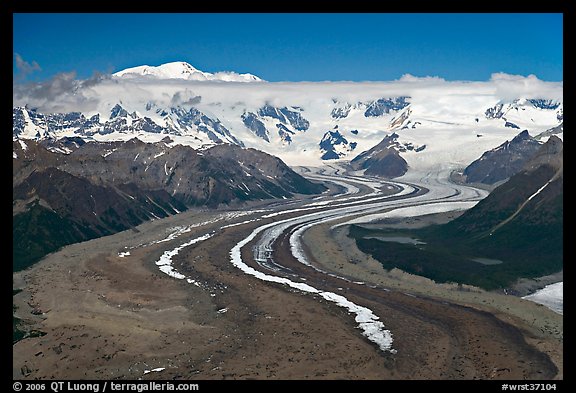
(516, 231)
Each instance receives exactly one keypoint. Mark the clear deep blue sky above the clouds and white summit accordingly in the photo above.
(296, 47)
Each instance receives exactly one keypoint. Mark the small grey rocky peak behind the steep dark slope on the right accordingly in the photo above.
(504, 161)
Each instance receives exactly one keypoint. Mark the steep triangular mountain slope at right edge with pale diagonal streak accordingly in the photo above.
(521, 221)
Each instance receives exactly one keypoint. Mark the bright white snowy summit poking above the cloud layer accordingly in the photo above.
(183, 70)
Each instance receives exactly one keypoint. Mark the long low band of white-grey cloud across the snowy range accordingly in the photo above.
(64, 93)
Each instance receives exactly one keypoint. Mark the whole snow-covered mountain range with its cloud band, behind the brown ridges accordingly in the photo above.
(302, 123)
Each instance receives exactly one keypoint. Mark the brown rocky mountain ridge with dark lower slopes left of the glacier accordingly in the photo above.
(102, 188)
